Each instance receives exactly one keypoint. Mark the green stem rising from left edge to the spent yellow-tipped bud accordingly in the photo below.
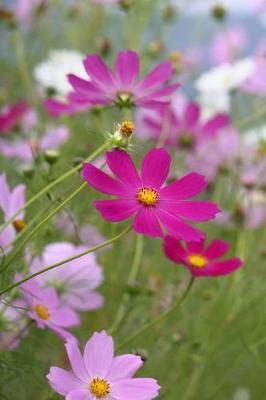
(61, 178)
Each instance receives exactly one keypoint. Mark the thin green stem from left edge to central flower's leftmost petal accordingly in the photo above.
(41, 224)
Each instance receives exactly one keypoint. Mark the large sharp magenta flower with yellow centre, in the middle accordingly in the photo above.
(153, 205)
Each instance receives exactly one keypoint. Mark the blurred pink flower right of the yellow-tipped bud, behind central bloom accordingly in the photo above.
(181, 125)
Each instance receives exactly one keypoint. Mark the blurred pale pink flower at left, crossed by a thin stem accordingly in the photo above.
(74, 281)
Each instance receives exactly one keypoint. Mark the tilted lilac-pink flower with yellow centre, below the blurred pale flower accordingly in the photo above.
(46, 310)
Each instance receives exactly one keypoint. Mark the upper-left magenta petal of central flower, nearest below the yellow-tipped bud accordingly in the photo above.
(120, 163)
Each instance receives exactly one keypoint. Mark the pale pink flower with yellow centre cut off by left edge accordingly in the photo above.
(10, 203)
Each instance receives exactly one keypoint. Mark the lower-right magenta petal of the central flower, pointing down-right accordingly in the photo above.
(177, 227)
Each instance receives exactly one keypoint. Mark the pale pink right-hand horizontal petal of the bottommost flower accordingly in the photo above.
(136, 388)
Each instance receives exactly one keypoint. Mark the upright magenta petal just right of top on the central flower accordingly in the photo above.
(155, 168)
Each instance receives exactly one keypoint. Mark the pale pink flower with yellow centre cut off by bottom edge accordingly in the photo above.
(99, 375)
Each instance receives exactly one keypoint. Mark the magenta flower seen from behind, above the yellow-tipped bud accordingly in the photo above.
(121, 86)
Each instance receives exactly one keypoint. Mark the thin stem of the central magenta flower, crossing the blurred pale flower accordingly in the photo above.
(58, 264)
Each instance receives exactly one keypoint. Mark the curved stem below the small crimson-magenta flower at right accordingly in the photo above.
(161, 317)
